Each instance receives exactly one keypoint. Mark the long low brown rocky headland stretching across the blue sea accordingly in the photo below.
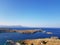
(20, 31)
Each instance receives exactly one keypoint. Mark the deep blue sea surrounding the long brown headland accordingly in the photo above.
(18, 36)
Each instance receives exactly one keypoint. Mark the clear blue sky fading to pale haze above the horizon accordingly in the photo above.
(33, 13)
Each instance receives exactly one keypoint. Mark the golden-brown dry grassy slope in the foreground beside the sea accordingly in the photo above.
(46, 41)
